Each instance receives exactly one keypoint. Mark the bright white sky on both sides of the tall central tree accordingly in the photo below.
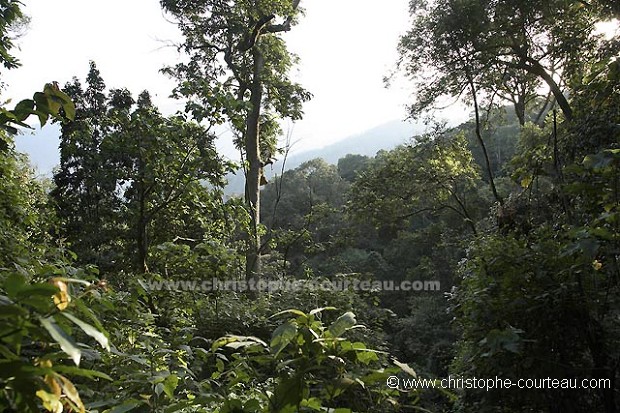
(346, 48)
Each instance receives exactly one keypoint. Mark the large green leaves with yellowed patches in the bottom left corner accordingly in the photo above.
(38, 330)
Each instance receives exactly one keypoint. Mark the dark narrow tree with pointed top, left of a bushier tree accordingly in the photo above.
(86, 182)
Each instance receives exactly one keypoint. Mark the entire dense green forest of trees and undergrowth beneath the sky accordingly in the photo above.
(506, 228)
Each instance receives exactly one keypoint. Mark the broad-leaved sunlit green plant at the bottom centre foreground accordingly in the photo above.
(317, 368)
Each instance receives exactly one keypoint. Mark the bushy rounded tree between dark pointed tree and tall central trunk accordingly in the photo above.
(170, 169)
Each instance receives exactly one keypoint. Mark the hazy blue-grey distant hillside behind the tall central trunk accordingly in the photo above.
(386, 136)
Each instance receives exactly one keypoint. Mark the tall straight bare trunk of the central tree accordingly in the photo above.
(252, 182)
